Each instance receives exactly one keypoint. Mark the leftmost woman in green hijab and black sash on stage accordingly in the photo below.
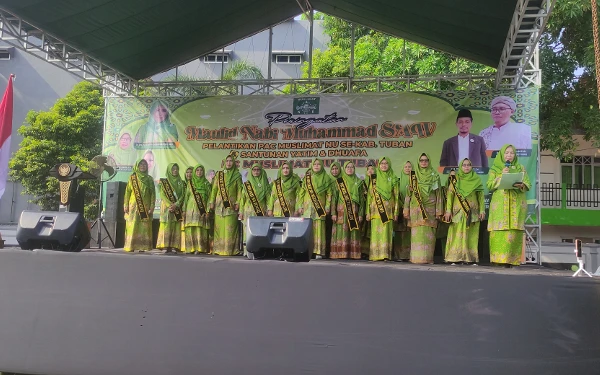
(138, 205)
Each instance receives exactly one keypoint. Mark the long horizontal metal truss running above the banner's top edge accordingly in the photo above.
(427, 83)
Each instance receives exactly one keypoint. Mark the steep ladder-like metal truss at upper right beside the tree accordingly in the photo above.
(519, 63)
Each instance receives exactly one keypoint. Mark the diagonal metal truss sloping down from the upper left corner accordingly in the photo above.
(31, 39)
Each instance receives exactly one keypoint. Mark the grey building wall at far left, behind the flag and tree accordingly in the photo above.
(37, 86)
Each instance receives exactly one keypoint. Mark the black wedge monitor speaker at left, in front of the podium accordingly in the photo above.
(62, 231)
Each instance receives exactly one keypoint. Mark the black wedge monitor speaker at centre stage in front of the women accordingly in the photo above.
(282, 233)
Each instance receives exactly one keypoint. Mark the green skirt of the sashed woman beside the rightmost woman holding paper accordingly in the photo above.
(462, 243)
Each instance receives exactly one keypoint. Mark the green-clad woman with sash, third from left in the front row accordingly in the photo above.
(197, 225)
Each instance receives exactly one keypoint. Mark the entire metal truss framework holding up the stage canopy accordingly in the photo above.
(518, 68)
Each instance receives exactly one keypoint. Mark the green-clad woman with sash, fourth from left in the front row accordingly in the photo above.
(224, 201)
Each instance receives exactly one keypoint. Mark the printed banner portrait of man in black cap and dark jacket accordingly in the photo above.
(464, 145)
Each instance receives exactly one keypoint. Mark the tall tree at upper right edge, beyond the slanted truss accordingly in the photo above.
(568, 97)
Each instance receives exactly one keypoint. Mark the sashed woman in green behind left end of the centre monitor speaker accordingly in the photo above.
(253, 201)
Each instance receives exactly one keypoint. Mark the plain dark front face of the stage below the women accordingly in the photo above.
(100, 313)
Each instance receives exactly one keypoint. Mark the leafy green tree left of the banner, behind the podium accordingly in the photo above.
(70, 131)
